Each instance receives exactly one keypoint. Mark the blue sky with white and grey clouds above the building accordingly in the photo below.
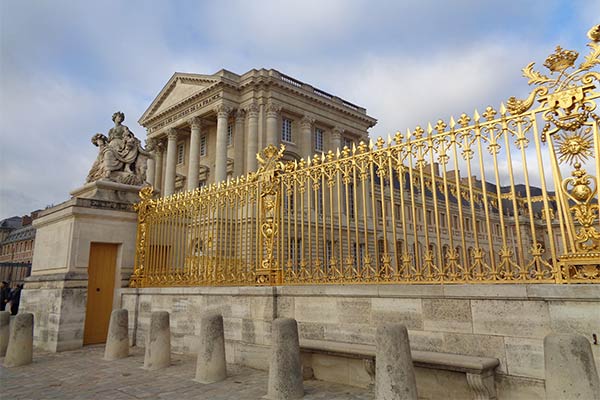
(66, 66)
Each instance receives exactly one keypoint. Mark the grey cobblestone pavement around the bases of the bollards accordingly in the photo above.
(83, 374)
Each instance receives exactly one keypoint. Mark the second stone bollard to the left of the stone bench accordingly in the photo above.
(211, 366)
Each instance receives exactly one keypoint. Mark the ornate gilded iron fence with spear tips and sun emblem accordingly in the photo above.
(505, 196)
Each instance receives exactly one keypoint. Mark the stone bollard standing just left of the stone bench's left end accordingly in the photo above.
(285, 370)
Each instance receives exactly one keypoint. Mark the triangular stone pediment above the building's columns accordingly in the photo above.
(180, 87)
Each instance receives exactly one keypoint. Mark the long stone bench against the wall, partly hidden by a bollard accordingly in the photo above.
(479, 370)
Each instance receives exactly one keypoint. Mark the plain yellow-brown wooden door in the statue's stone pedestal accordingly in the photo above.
(101, 285)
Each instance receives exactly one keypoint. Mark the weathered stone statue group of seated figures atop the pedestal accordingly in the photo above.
(121, 157)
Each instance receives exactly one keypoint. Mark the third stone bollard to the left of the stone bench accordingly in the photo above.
(158, 342)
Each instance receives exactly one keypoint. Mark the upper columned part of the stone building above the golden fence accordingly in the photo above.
(204, 129)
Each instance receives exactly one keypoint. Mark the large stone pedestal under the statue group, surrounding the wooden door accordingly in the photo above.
(56, 291)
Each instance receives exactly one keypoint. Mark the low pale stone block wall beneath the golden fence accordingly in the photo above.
(507, 322)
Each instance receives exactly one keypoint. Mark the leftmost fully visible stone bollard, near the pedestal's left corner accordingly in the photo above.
(20, 343)
